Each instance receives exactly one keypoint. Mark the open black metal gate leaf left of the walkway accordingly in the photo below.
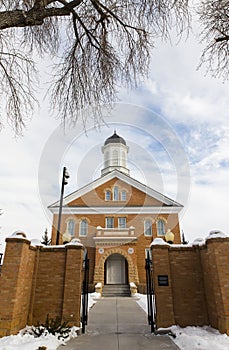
(84, 310)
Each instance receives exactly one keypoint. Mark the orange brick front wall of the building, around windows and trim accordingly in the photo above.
(135, 198)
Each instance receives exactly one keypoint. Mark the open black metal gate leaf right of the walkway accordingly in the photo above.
(150, 294)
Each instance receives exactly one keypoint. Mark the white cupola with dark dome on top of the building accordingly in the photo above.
(115, 154)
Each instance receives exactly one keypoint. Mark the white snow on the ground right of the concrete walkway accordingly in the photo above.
(194, 338)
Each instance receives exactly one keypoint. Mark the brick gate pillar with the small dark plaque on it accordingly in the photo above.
(163, 294)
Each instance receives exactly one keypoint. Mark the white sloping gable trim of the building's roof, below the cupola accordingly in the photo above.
(123, 177)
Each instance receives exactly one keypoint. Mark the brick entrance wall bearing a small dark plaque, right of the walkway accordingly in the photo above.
(198, 289)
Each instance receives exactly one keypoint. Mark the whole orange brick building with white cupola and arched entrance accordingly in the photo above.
(116, 218)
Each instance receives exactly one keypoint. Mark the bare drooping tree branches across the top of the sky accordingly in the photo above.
(98, 46)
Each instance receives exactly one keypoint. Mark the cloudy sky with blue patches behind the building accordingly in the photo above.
(176, 125)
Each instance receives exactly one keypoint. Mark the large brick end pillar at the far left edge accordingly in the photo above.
(16, 283)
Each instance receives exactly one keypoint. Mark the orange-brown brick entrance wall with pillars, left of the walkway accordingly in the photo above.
(36, 281)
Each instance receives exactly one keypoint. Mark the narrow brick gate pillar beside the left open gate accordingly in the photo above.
(73, 284)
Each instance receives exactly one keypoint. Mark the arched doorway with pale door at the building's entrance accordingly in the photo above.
(116, 270)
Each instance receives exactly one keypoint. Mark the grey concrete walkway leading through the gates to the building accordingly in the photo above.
(118, 324)
